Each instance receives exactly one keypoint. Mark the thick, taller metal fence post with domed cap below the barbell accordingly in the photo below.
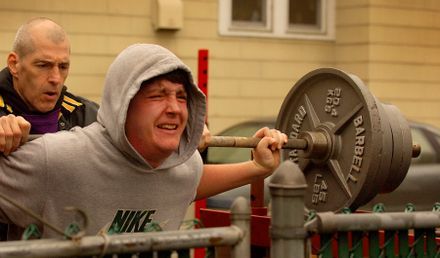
(287, 188)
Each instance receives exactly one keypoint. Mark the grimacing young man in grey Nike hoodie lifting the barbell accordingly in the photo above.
(138, 164)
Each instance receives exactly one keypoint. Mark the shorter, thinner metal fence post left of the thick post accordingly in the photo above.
(240, 217)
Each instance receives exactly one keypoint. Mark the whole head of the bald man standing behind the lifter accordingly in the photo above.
(39, 63)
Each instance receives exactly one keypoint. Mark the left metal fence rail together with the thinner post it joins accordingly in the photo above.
(151, 244)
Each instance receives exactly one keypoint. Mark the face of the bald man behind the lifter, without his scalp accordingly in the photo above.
(40, 75)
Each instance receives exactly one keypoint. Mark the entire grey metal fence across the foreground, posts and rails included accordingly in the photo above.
(326, 234)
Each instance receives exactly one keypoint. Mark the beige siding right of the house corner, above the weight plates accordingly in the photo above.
(404, 57)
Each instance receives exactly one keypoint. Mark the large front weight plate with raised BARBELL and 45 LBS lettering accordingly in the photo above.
(338, 104)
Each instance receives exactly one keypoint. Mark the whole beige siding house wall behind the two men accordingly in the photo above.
(393, 45)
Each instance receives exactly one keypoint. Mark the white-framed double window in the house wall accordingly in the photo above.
(306, 19)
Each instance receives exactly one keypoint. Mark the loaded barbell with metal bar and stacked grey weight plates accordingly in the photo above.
(349, 146)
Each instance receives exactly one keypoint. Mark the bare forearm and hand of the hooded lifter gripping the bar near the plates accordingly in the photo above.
(218, 178)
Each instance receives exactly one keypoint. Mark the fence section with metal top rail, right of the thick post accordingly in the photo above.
(391, 234)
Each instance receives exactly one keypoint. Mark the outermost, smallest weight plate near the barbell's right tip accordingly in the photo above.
(402, 149)
